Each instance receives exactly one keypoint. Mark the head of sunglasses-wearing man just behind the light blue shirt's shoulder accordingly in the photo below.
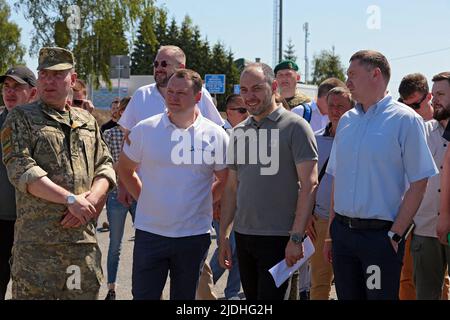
(415, 93)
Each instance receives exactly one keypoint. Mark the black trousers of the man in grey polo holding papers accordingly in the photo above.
(256, 255)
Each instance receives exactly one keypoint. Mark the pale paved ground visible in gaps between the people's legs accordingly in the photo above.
(123, 290)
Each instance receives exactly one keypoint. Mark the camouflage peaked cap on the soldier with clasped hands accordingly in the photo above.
(54, 58)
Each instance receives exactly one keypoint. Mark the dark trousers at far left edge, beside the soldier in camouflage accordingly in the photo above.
(6, 243)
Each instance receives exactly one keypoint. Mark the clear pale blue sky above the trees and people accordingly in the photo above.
(246, 27)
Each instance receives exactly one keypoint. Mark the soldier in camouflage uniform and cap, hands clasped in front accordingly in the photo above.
(62, 170)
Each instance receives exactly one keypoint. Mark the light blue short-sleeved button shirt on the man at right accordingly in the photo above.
(375, 155)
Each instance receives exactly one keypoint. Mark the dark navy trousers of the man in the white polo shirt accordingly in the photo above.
(155, 256)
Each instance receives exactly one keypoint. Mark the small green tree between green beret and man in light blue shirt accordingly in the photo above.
(326, 65)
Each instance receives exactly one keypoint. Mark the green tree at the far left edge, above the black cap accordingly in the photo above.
(11, 51)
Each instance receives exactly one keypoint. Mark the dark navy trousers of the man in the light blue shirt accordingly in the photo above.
(365, 264)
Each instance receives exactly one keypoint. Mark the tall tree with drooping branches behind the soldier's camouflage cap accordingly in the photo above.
(94, 30)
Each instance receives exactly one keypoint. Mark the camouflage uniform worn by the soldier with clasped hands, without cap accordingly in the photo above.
(50, 262)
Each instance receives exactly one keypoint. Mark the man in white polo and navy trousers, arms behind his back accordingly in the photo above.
(182, 171)
